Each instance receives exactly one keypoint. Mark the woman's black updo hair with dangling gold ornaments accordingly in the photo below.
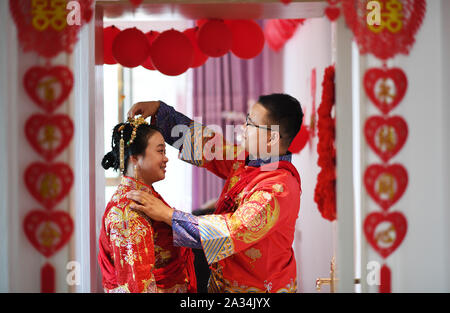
(137, 147)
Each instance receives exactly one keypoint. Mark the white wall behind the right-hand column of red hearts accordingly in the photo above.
(420, 264)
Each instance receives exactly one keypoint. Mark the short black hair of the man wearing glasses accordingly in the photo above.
(285, 111)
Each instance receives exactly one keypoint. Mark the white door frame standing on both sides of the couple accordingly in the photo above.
(89, 116)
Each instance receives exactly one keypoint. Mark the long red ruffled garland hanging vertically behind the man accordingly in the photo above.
(325, 192)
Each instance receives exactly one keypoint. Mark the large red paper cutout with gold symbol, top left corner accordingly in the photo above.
(42, 25)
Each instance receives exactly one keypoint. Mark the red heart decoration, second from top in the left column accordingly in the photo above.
(49, 135)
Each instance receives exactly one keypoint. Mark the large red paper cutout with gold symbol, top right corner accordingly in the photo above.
(400, 22)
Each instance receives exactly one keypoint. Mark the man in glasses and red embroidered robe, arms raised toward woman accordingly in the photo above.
(248, 240)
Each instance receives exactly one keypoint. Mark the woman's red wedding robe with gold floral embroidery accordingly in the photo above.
(137, 254)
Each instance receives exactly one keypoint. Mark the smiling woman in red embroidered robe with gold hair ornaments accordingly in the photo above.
(136, 253)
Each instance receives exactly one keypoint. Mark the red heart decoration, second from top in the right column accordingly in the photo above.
(386, 135)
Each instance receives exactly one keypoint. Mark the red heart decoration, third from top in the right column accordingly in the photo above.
(386, 183)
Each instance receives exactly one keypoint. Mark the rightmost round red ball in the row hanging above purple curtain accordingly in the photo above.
(247, 38)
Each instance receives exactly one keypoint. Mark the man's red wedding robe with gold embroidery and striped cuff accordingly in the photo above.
(248, 240)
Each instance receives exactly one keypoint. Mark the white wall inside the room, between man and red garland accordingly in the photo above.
(310, 48)
